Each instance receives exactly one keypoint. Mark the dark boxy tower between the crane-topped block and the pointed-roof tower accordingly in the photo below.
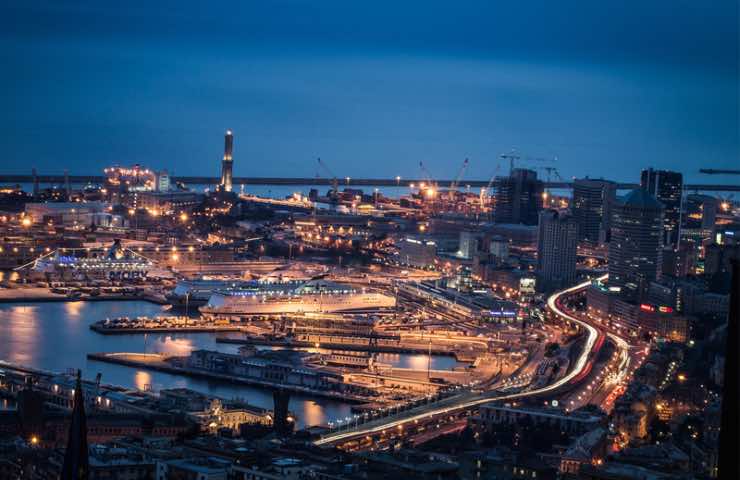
(592, 201)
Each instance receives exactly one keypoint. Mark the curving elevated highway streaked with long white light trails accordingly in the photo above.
(470, 399)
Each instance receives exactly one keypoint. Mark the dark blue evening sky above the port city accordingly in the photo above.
(608, 87)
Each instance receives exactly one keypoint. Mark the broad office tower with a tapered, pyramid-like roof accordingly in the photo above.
(636, 245)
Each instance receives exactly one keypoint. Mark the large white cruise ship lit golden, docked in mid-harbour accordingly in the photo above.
(310, 296)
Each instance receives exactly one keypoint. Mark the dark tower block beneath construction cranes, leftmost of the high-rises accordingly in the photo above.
(518, 198)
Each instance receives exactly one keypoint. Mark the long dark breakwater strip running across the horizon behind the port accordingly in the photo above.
(349, 182)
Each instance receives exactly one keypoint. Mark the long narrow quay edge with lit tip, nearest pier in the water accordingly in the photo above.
(159, 362)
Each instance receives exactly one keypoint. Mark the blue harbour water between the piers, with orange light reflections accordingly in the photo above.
(56, 336)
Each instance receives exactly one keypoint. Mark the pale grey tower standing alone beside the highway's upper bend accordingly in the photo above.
(557, 237)
